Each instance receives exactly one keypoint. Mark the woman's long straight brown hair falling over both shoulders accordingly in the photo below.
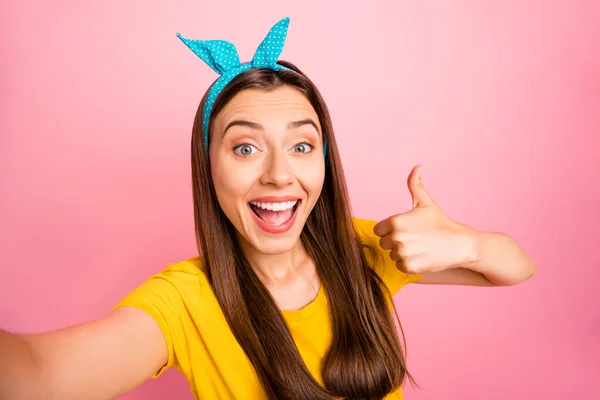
(365, 360)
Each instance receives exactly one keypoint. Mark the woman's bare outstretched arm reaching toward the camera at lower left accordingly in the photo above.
(100, 359)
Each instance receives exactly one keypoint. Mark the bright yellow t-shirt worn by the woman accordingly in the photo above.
(200, 343)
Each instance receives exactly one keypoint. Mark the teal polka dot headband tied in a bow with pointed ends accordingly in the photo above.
(223, 58)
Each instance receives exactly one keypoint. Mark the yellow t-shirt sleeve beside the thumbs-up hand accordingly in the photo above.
(380, 259)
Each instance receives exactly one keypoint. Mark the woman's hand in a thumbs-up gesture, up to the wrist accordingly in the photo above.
(424, 239)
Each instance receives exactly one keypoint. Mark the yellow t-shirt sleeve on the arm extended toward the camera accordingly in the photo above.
(163, 297)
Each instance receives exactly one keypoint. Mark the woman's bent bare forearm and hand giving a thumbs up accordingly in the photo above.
(425, 241)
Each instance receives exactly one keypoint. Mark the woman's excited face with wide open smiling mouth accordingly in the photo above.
(266, 155)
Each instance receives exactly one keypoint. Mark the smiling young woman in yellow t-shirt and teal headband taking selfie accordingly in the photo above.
(291, 297)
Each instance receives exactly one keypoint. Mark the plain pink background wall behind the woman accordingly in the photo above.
(499, 101)
